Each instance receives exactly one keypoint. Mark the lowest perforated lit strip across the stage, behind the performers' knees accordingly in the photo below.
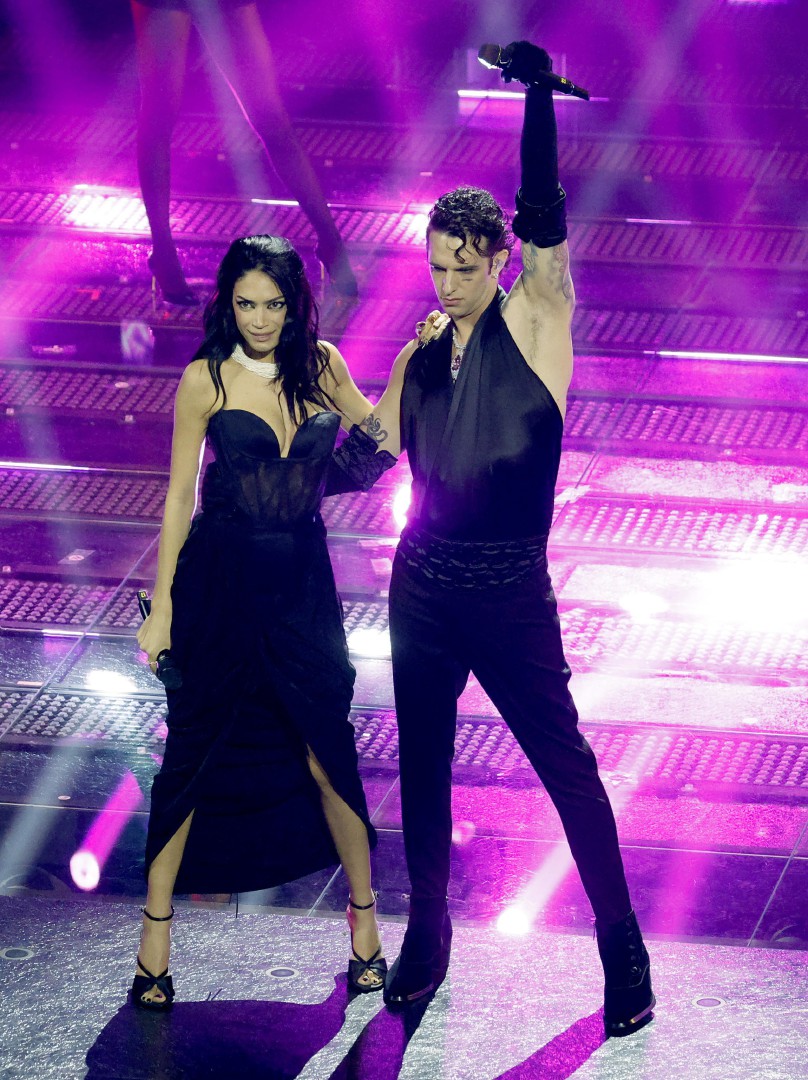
(706, 764)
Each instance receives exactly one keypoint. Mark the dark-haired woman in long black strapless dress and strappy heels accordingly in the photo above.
(260, 784)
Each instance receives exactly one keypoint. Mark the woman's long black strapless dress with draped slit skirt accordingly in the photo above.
(258, 633)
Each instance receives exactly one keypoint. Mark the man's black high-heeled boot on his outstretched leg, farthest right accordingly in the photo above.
(629, 1001)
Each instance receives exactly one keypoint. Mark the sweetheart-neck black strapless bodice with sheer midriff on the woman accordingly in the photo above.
(252, 482)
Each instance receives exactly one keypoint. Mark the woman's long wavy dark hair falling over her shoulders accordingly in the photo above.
(300, 355)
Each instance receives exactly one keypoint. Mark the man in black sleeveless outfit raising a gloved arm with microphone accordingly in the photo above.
(479, 409)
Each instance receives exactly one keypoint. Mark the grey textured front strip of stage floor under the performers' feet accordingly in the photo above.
(261, 1000)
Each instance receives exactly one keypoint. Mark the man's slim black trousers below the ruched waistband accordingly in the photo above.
(509, 637)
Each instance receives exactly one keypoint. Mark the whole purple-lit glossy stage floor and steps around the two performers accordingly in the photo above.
(679, 555)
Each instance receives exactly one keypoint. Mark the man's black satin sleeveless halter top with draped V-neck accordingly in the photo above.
(486, 455)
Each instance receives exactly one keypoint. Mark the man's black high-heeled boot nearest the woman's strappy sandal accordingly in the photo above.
(424, 961)
